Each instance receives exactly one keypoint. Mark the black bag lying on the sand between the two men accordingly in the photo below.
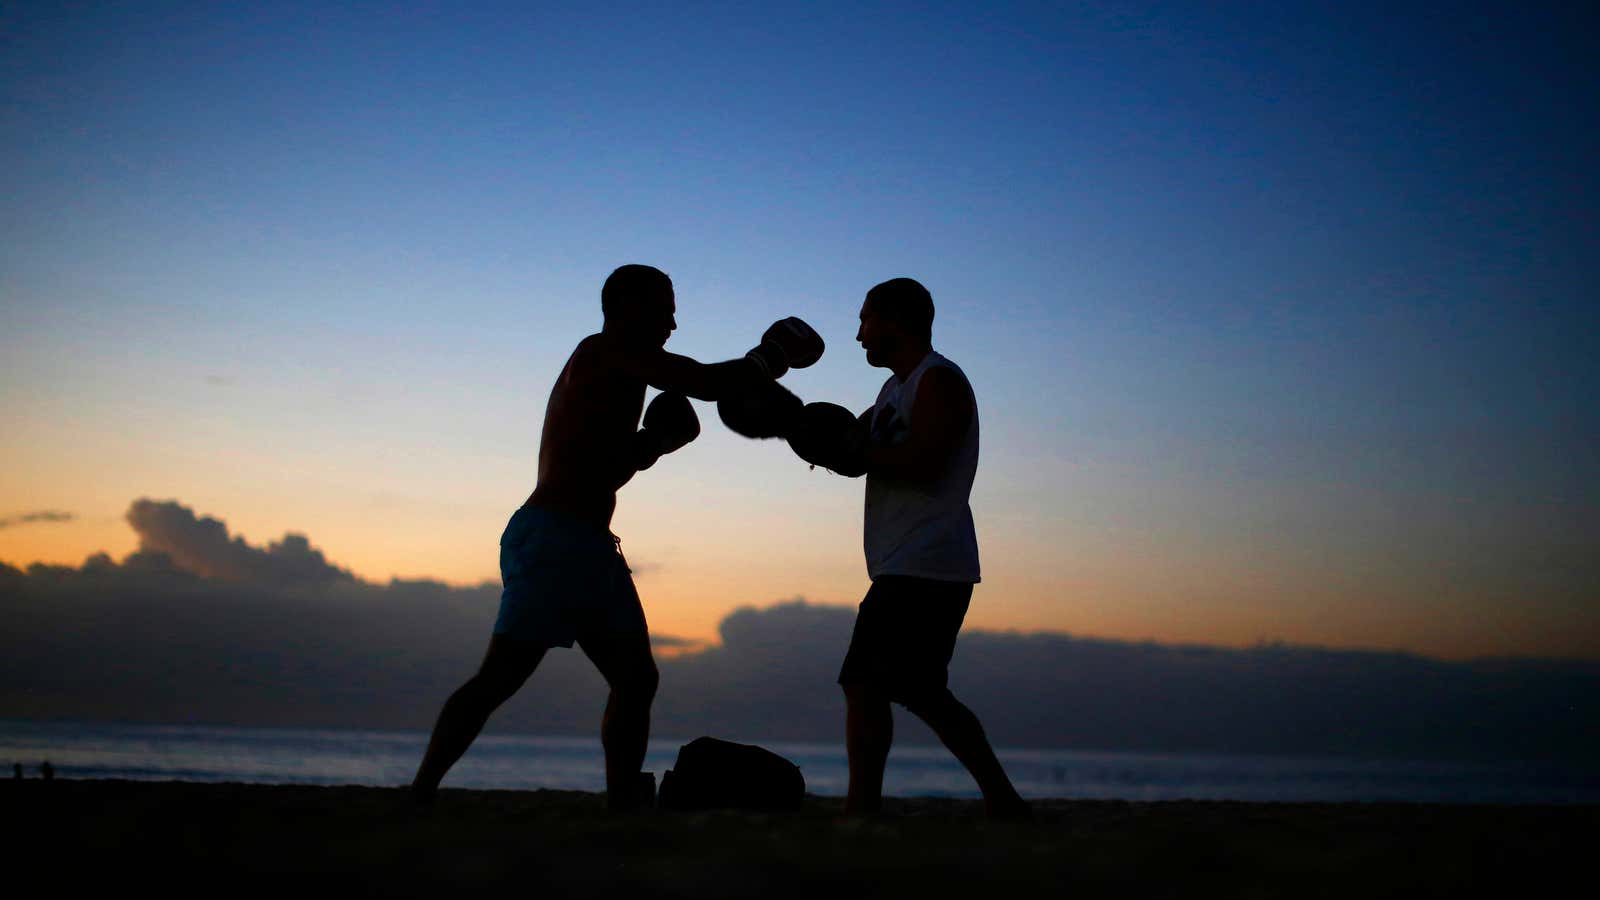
(718, 774)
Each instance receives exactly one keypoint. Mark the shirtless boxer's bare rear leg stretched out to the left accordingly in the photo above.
(506, 667)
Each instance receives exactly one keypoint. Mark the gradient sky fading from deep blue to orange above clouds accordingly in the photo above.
(1282, 318)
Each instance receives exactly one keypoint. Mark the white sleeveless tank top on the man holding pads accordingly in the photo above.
(922, 529)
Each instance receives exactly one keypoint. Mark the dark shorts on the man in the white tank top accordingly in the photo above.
(906, 635)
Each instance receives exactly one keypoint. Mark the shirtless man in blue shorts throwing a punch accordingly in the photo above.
(564, 574)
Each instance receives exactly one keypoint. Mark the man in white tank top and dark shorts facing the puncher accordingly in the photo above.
(922, 553)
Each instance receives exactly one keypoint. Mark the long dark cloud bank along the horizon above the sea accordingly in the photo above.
(201, 627)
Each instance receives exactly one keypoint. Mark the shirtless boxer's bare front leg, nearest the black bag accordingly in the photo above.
(625, 729)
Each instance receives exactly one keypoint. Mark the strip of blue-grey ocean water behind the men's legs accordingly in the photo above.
(294, 757)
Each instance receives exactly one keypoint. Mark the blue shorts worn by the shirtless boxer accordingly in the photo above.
(564, 581)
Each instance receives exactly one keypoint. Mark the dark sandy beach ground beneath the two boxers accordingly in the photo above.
(257, 840)
